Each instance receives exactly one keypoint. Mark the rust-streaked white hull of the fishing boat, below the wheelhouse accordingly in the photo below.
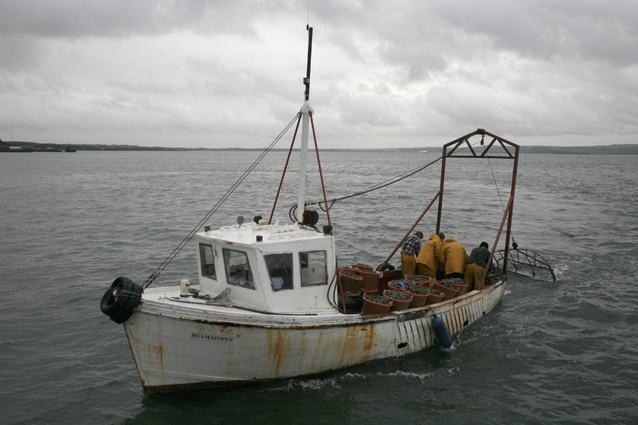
(178, 346)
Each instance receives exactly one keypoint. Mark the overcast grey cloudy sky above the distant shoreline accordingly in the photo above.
(385, 73)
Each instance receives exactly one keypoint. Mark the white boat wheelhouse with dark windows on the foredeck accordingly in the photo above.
(268, 268)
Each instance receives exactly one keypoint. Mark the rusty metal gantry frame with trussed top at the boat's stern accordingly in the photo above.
(511, 152)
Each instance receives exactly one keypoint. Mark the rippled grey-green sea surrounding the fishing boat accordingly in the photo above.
(563, 352)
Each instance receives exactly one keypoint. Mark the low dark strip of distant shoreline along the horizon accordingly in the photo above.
(22, 147)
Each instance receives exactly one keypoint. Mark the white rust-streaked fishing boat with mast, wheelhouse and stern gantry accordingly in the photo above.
(271, 303)
